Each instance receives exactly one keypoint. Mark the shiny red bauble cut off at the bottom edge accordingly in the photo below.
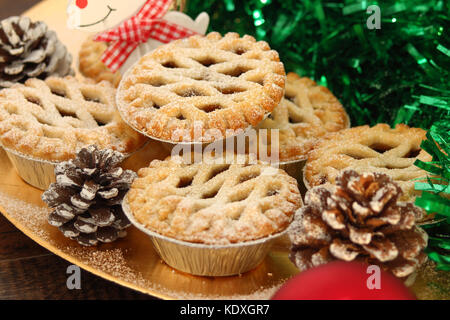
(340, 280)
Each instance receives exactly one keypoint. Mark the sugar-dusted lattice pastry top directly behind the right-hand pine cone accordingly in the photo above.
(365, 149)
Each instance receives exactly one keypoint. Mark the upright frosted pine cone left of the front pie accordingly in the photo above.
(87, 196)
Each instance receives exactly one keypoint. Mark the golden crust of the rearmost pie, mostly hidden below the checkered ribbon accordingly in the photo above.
(91, 65)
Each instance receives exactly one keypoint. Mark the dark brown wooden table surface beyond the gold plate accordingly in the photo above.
(28, 271)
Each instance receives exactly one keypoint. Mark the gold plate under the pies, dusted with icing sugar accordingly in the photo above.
(132, 261)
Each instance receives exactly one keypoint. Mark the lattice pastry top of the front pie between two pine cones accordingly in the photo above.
(213, 203)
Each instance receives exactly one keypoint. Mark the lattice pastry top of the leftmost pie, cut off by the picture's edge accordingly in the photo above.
(53, 119)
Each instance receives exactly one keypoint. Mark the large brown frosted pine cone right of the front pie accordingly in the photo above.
(358, 219)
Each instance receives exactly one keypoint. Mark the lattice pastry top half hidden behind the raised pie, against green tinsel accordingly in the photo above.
(306, 113)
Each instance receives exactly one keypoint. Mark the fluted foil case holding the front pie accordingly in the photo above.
(205, 259)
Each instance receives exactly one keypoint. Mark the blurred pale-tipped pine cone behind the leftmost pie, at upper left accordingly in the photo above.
(29, 50)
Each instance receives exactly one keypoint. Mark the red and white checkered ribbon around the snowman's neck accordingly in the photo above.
(147, 23)
